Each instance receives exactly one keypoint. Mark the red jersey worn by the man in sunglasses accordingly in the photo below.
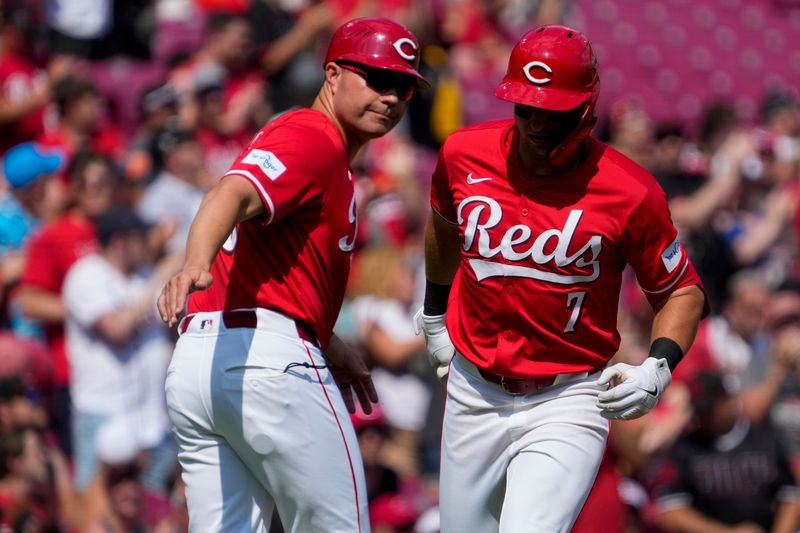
(296, 258)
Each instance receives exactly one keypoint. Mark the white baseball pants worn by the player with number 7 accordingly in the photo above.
(517, 464)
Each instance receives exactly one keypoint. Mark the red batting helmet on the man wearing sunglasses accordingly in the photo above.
(377, 43)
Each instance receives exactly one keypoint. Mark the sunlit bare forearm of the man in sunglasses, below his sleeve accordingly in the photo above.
(231, 201)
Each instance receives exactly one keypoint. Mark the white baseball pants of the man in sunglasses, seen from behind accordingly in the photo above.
(256, 431)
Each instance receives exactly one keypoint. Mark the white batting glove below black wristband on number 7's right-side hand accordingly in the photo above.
(634, 389)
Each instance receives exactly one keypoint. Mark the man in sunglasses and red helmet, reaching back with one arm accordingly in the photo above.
(252, 387)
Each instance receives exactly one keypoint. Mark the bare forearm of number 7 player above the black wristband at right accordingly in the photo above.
(679, 316)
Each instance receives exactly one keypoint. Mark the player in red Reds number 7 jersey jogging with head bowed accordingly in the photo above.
(533, 223)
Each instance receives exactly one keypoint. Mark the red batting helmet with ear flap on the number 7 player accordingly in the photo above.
(554, 67)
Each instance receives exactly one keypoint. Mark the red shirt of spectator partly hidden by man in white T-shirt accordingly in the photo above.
(50, 255)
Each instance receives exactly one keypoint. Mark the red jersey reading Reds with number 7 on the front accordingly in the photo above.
(538, 287)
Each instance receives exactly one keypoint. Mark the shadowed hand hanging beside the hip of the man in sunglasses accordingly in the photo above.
(351, 374)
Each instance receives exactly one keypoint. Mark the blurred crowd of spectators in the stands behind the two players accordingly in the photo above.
(117, 115)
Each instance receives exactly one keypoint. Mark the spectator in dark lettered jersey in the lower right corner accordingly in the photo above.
(726, 475)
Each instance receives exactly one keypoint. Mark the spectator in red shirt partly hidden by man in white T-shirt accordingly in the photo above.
(52, 252)
